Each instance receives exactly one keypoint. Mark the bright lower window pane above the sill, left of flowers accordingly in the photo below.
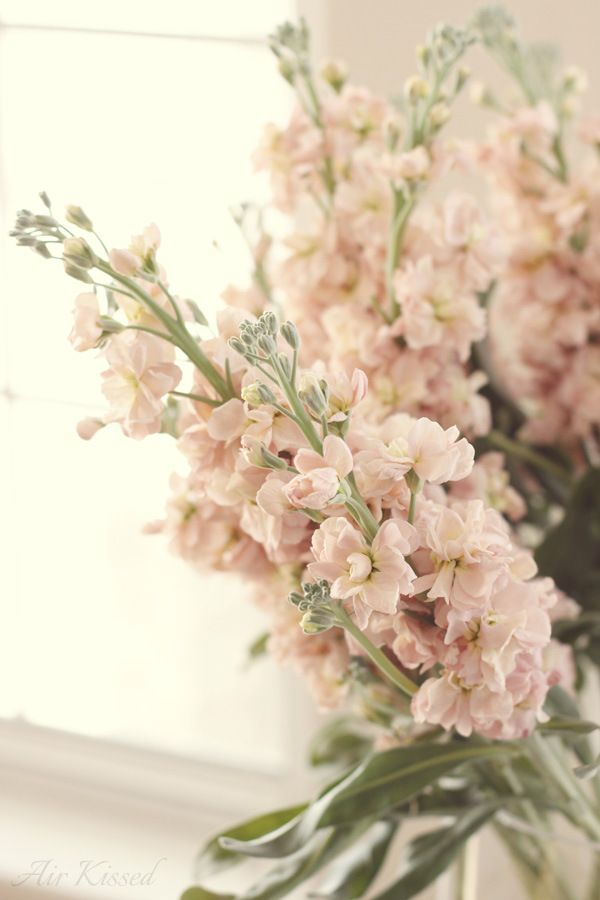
(116, 637)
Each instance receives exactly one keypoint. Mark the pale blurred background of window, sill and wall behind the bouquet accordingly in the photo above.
(131, 725)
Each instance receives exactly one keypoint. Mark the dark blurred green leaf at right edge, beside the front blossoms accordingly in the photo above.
(570, 552)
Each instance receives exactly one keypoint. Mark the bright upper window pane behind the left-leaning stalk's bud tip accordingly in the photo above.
(172, 145)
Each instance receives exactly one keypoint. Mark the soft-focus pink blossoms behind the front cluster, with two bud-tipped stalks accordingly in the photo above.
(373, 278)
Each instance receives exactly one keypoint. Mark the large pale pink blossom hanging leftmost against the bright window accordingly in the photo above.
(141, 373)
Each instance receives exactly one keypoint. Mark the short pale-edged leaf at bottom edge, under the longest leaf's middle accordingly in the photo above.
(357, 870)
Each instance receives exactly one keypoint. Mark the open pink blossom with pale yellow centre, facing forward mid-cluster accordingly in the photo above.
(373, 575)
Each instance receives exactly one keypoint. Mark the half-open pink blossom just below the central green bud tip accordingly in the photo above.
(319, 480)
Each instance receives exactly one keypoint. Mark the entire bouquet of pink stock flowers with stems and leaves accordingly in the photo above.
(441, 590)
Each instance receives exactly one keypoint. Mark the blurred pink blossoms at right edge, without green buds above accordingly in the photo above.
(545, 312)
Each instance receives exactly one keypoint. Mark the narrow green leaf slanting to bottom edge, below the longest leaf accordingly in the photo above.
(430, 854)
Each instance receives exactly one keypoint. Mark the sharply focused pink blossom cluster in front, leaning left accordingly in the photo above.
(291, 482)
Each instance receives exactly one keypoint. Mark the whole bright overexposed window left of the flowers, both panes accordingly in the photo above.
(139, 115)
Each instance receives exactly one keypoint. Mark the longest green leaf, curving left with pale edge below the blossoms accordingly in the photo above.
(383, 782)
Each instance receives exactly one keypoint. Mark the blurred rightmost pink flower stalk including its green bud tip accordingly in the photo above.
(545, 310)
